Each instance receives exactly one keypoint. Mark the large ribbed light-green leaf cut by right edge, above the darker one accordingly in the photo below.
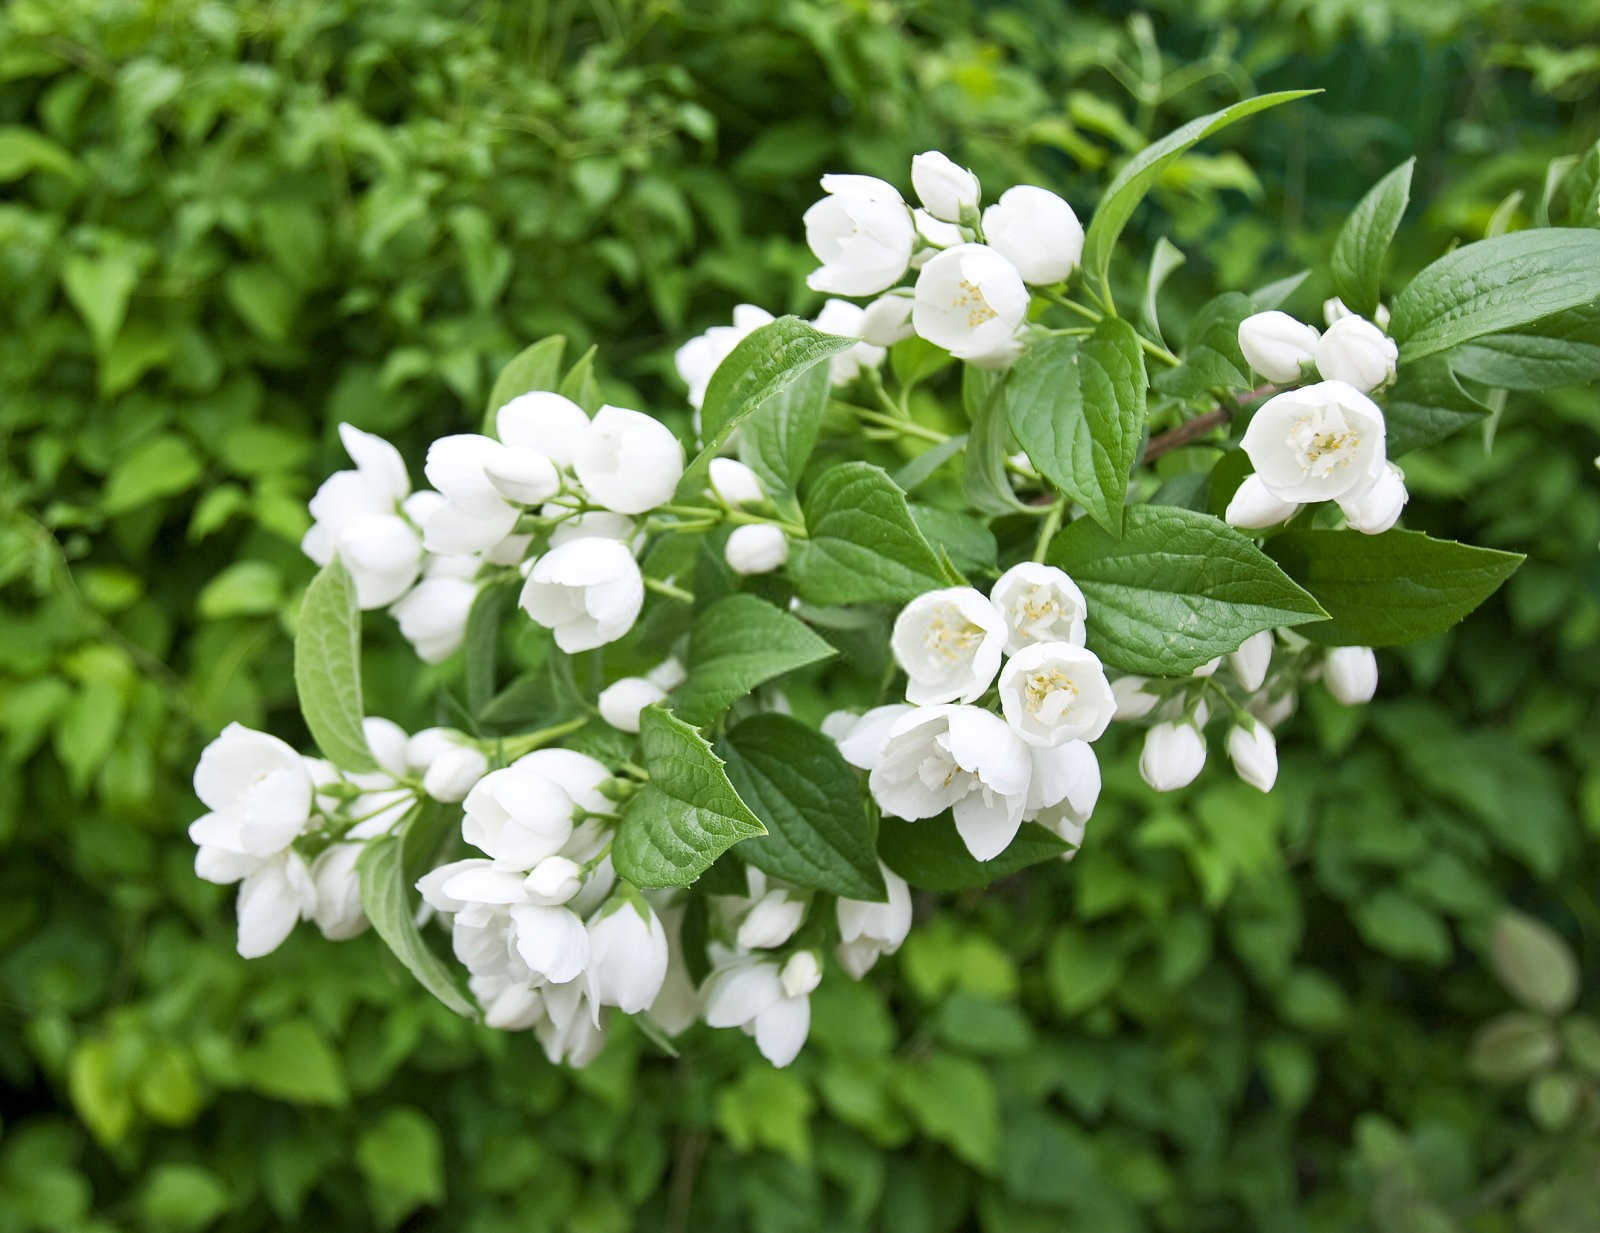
(1495, 285)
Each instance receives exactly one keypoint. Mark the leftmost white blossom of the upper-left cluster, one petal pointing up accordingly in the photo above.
(356, 516)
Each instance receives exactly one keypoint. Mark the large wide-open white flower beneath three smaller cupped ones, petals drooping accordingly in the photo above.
(959, 759)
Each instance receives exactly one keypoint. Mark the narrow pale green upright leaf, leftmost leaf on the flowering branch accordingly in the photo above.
(329, 669)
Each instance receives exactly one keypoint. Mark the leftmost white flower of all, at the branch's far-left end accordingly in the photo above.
(260, 796)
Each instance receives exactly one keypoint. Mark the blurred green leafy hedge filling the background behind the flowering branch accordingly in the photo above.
(226, 228)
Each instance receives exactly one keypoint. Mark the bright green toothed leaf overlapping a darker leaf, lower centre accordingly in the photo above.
(689, 815)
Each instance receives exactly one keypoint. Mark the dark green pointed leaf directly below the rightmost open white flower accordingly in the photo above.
(1391, 589)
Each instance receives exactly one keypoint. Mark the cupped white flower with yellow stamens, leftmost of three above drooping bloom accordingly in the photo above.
(950, 644)
